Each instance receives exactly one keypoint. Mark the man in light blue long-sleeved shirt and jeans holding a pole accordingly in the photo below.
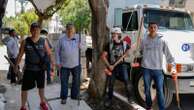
(67, 54)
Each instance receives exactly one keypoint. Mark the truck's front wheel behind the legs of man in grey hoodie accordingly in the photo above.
(140, 96)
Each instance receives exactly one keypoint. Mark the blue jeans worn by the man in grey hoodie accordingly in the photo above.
(158, 77)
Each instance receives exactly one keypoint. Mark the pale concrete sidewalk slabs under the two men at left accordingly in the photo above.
(12, 97)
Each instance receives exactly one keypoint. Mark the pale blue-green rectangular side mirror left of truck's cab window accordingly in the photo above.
(118, 17)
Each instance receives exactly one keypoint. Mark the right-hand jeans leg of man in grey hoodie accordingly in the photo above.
(159, 81)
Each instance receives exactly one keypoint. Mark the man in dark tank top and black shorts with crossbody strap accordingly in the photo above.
(33, 73)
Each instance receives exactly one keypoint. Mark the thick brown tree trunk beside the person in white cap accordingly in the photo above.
(99, 38)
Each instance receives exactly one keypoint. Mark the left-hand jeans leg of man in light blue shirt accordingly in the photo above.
(65, 72)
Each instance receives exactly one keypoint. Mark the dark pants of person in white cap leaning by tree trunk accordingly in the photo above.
(120, 71)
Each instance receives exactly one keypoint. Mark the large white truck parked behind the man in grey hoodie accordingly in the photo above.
(176, 27)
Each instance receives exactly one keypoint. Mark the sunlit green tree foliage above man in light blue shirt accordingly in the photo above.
(78, 12)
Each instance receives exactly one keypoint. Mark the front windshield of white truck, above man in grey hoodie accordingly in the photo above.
(168, 19)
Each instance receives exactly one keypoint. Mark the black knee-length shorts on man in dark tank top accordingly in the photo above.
(32, 79)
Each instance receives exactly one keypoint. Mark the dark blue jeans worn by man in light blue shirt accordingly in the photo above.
(75, 88)
